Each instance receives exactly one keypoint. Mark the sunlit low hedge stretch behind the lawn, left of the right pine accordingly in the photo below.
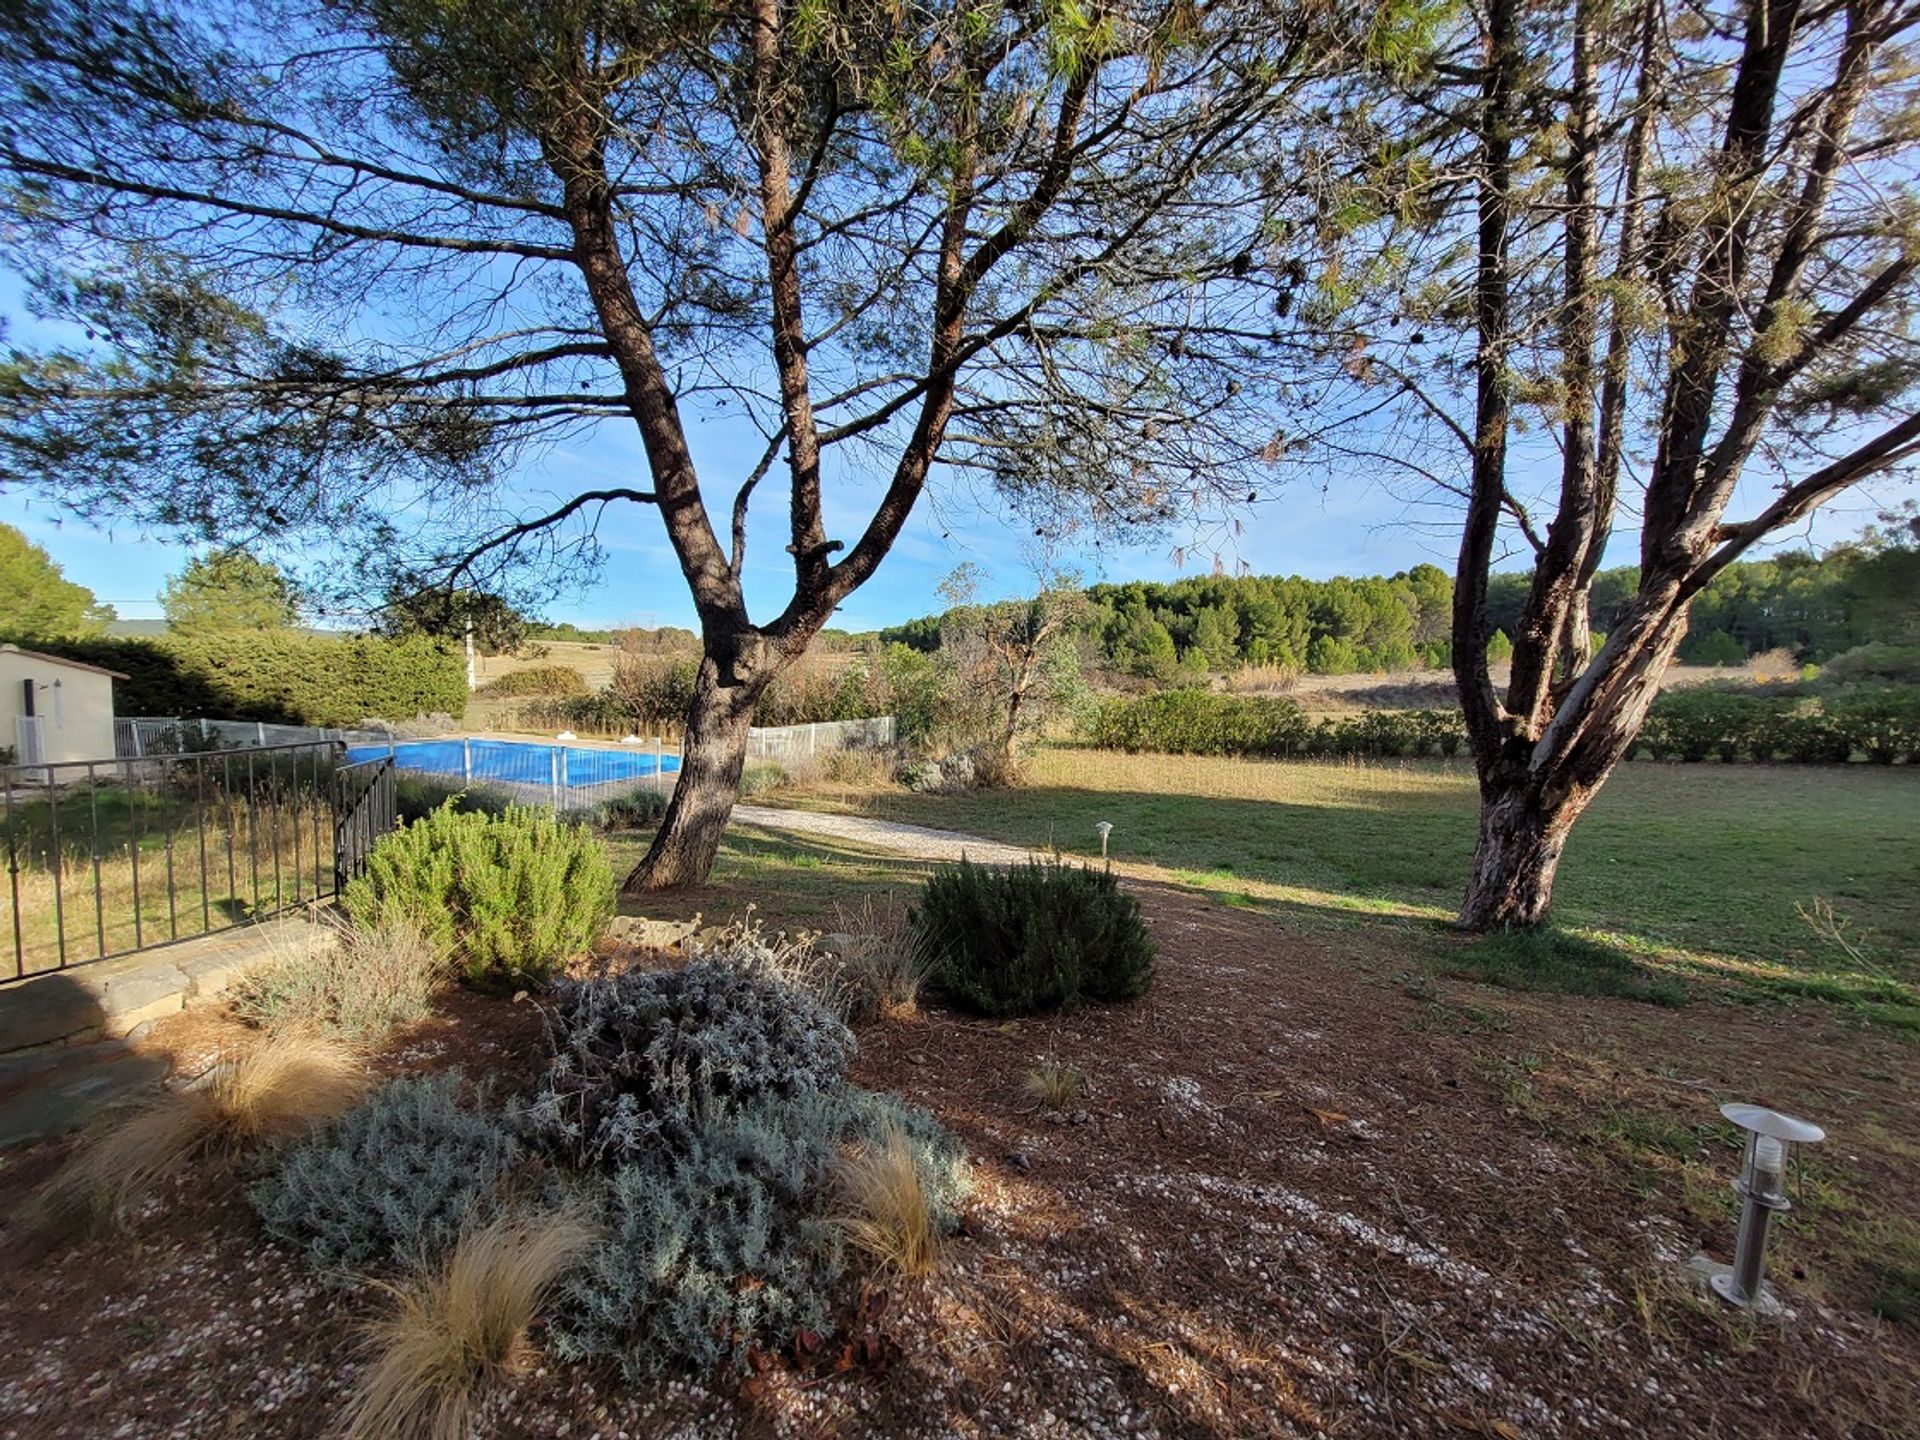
(1205, 723)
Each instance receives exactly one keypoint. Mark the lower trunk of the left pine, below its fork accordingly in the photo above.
(684, 850)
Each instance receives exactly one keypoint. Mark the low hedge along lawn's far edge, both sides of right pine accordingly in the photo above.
(1879, 723)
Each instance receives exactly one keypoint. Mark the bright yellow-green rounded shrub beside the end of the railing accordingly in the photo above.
(510, 898)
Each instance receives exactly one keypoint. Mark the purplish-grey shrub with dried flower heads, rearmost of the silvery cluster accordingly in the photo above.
(654, 1057)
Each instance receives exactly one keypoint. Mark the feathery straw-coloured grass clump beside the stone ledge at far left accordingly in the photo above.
(279, 1088)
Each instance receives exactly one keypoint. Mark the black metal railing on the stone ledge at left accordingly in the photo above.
(108, 857)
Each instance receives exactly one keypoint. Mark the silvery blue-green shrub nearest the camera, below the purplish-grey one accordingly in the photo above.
(725, 1243)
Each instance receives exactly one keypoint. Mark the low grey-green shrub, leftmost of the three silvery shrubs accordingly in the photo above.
(395, 1182)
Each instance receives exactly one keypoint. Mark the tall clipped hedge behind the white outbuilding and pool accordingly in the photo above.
(285, 677)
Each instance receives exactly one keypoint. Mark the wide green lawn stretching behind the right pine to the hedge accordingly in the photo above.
(1698, 867)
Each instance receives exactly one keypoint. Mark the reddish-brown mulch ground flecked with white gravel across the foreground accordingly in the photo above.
(1287, 1205)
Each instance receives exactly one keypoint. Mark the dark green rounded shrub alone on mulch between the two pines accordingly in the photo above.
(1030, 938)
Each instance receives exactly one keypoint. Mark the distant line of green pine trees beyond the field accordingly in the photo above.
(1865, 592)
